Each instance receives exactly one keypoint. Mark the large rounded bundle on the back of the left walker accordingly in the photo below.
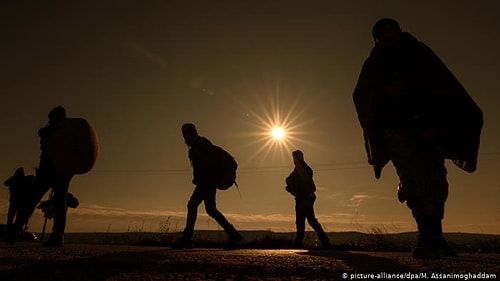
(73, 148)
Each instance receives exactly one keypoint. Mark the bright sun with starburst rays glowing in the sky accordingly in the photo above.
(280, 122)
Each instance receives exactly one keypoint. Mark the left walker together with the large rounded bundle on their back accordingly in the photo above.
(68, 146)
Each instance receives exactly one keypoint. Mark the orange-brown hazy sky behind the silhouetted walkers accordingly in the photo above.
(137, 72)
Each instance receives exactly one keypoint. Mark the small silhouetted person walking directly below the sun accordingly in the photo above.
(300, 184)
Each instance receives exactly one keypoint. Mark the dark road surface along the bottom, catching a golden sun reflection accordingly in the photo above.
(30, 261)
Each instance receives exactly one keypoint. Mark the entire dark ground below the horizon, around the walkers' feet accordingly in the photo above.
(264, 255)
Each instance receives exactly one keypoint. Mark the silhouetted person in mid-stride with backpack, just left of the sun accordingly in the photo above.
(209, 175)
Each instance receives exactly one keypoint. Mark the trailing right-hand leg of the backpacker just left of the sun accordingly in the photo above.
(211, 209)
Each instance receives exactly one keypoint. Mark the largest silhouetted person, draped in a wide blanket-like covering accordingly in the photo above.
(415, 113)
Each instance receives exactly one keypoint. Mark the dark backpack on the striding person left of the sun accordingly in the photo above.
(226, 168)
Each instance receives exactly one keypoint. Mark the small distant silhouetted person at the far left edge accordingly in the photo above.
(19, 189)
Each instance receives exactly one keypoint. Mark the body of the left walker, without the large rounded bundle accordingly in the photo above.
(46, 178)
